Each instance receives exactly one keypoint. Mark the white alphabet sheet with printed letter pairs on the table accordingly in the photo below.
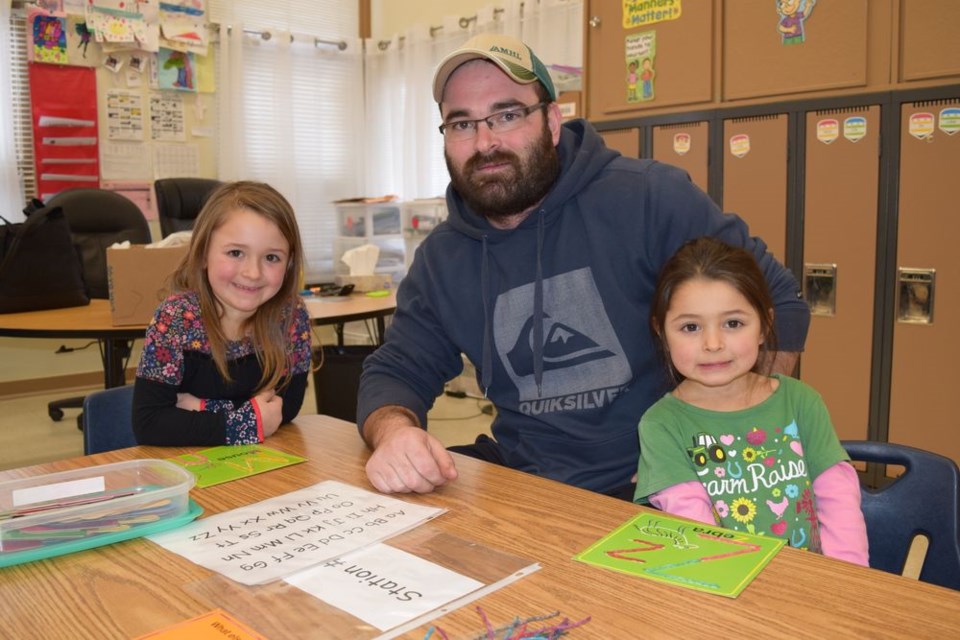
(274, 538)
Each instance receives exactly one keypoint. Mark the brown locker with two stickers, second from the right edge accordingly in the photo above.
(840, 254)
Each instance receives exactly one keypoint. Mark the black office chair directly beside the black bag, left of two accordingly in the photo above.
(98, 218)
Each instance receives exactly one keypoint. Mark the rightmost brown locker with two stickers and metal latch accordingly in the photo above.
(926, 346)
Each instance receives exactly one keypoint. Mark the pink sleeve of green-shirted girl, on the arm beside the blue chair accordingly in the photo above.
(843, 533)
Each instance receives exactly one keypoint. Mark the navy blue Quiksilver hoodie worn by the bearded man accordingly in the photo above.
(555, 313)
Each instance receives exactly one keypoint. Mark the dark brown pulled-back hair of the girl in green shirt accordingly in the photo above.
(711, 259)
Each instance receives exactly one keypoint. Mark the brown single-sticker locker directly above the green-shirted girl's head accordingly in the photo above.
(755, 176)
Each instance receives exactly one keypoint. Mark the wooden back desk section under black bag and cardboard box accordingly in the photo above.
(91, 321)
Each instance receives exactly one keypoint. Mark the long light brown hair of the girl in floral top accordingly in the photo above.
(270, 323)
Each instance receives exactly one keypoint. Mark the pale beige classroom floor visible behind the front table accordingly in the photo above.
(28, 435)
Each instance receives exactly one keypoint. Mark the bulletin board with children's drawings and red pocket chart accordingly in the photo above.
(122, 94)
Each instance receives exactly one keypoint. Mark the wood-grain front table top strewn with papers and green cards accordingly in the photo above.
(135, 587)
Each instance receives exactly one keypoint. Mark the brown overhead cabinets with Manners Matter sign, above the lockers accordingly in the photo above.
(663, 56)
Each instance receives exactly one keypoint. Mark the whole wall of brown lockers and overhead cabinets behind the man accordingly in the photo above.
(841, 153)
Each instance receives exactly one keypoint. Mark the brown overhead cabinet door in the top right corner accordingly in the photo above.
(929, 33)
